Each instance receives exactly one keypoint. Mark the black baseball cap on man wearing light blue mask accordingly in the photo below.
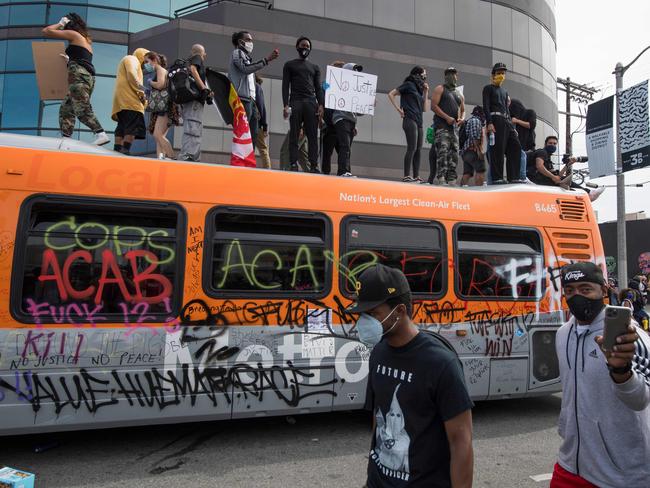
(377, 285)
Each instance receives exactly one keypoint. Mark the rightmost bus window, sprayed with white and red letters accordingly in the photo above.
(500, 263)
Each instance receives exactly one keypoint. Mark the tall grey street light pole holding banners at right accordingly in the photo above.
(621, 237)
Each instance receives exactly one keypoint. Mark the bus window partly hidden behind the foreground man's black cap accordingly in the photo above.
(411, 246)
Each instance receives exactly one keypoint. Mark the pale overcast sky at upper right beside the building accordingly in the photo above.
(592, 36)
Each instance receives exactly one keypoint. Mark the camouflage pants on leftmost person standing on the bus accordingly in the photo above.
(77, 102)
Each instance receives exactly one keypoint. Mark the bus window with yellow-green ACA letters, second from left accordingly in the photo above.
(267, 253)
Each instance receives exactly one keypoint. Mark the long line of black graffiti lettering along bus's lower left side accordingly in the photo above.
(155, 388)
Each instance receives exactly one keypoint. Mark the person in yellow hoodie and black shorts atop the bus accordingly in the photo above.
(129, 100)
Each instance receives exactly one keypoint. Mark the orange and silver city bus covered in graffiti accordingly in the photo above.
(139, 291)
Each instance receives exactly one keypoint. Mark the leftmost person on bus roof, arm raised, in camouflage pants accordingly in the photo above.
(81, 77)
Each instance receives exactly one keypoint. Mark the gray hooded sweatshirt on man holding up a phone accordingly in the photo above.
(605, 427)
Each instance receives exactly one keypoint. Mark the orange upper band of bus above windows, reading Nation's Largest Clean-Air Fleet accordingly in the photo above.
(57, 167)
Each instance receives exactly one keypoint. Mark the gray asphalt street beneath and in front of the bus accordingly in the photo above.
(513, 440)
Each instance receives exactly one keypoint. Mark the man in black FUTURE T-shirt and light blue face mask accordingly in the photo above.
(422, 427)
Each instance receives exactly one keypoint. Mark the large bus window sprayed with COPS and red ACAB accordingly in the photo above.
(97, 261)
